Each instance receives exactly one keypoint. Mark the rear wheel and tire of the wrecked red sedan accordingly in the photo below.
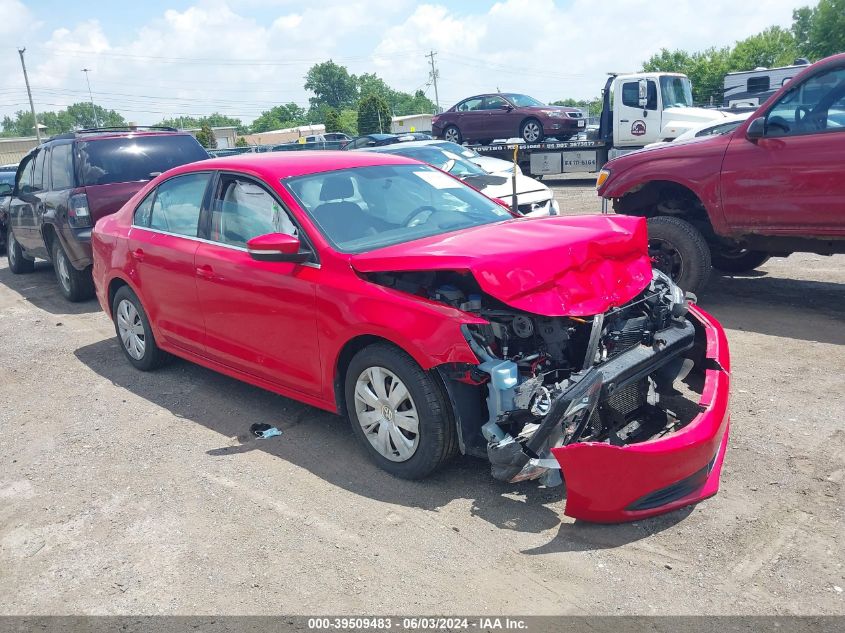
(134, 332)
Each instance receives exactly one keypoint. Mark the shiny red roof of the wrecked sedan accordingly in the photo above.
(279, 165)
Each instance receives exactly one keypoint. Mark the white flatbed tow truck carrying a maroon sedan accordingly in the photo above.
(637, 109)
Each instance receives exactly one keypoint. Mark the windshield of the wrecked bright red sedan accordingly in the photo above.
(366, 208)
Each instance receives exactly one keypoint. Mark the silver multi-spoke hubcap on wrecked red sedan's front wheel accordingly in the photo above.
(387, 414)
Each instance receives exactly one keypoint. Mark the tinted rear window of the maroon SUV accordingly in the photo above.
(132, 158)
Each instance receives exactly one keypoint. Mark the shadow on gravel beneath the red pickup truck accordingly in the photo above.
(777, 306)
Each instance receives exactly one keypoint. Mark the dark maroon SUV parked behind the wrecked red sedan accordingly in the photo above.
(66, 184)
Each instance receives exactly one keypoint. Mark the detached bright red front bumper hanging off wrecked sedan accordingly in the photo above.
(608, 484)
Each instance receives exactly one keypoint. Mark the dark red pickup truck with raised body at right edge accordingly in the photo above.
(774, 186)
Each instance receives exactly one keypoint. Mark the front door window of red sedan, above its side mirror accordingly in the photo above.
(243, 209)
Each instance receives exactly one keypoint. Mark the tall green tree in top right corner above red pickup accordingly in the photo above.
(820, 31)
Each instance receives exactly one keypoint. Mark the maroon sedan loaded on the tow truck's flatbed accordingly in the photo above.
(483, 118)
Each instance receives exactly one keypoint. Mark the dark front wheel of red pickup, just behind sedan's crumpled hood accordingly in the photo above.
(679, 250)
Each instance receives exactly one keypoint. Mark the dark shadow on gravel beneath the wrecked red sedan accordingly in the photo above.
(323, 444)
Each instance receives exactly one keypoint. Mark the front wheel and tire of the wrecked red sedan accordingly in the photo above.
(398, 412)
